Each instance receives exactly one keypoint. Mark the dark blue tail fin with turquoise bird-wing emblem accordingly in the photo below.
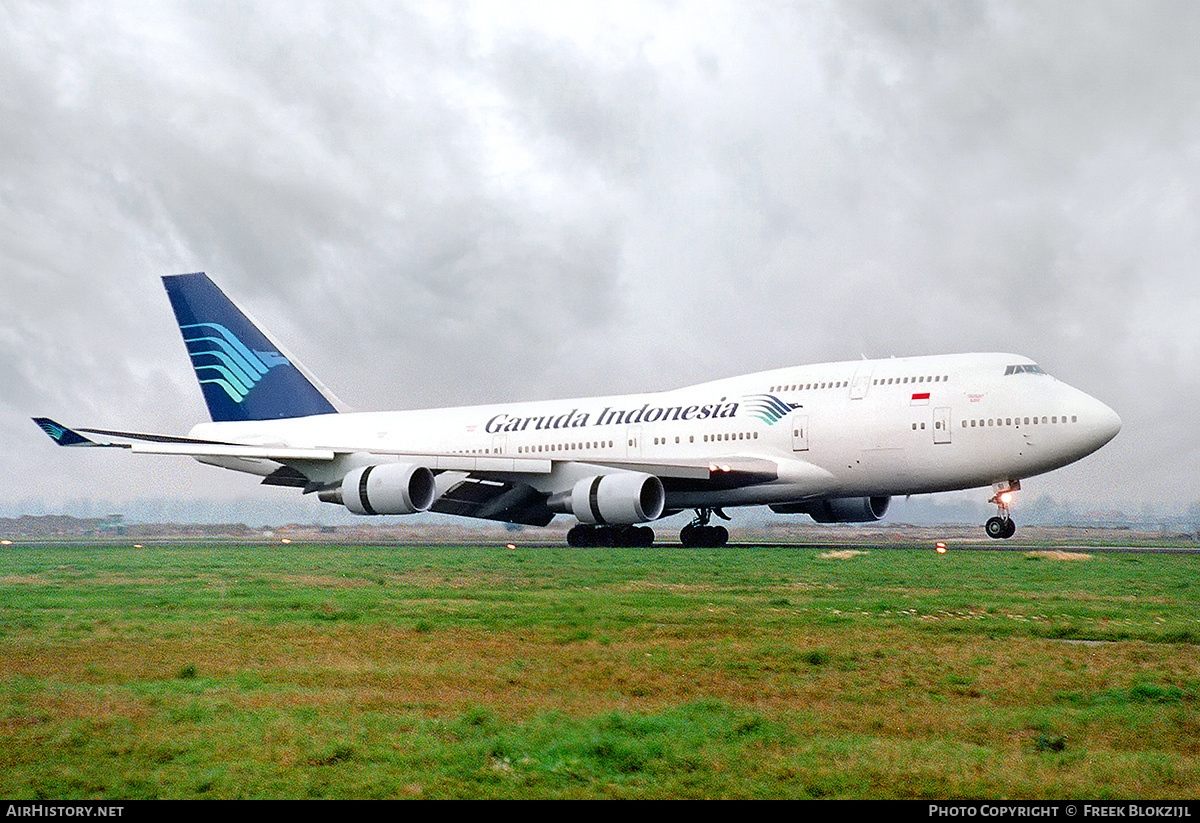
(242, 373)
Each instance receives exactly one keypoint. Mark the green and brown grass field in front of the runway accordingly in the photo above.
(268, 671)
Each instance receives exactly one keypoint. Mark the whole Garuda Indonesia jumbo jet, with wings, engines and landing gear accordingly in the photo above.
(835, 441)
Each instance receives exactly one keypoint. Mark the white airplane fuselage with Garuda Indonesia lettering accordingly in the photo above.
(869, 428)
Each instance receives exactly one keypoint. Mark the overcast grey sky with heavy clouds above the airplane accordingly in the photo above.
(454, 203)
